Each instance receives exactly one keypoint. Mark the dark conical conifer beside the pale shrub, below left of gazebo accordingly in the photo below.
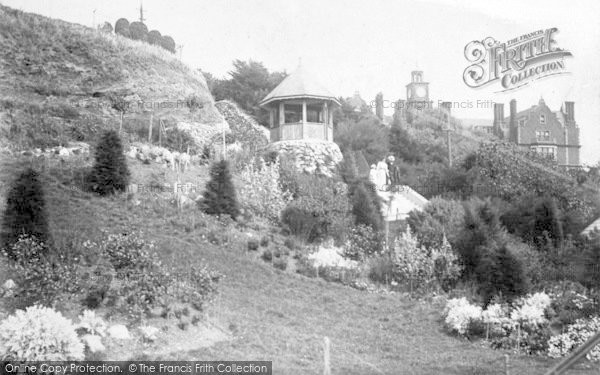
(220, 197)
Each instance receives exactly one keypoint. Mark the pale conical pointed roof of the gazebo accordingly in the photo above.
(299, 84)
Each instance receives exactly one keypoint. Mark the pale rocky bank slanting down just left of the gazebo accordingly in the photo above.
(243, 127)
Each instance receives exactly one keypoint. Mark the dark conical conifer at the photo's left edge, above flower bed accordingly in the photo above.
(25, 212)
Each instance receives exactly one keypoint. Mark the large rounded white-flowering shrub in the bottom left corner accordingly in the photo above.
(39, 334)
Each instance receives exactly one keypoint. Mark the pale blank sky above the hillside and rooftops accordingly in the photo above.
(372, 46)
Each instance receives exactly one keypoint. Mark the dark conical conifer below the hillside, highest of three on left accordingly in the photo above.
(110, 173)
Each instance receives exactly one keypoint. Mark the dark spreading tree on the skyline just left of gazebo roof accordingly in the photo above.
(250, 81)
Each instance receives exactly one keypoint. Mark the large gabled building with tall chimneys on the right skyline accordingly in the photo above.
(552, 134)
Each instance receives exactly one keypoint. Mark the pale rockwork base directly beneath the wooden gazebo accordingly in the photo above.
(310, 156)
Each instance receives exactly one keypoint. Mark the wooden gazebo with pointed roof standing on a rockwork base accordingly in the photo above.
(300, 108)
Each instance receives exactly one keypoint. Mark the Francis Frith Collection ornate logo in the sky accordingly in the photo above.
(514, 63)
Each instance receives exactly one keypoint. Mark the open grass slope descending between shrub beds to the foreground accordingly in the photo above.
(279, 316)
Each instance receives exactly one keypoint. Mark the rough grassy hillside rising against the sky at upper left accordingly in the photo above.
(58, 82)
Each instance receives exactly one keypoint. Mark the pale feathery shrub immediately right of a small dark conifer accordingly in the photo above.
(261, 192)
